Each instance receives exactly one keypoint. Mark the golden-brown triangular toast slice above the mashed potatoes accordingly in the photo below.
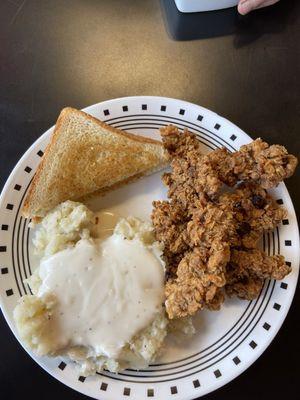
(86, 155)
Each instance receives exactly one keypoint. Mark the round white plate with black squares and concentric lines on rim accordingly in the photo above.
(228, 341)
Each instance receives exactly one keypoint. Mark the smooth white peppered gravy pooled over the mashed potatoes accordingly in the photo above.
(107, 292)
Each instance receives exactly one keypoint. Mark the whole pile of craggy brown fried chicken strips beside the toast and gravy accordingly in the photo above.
(210, 236)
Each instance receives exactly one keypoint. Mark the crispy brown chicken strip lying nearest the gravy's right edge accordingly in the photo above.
(201, 272)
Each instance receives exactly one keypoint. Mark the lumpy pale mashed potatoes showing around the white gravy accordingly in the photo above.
(63, 228)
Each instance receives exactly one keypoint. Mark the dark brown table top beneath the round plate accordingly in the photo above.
(79, 52)
